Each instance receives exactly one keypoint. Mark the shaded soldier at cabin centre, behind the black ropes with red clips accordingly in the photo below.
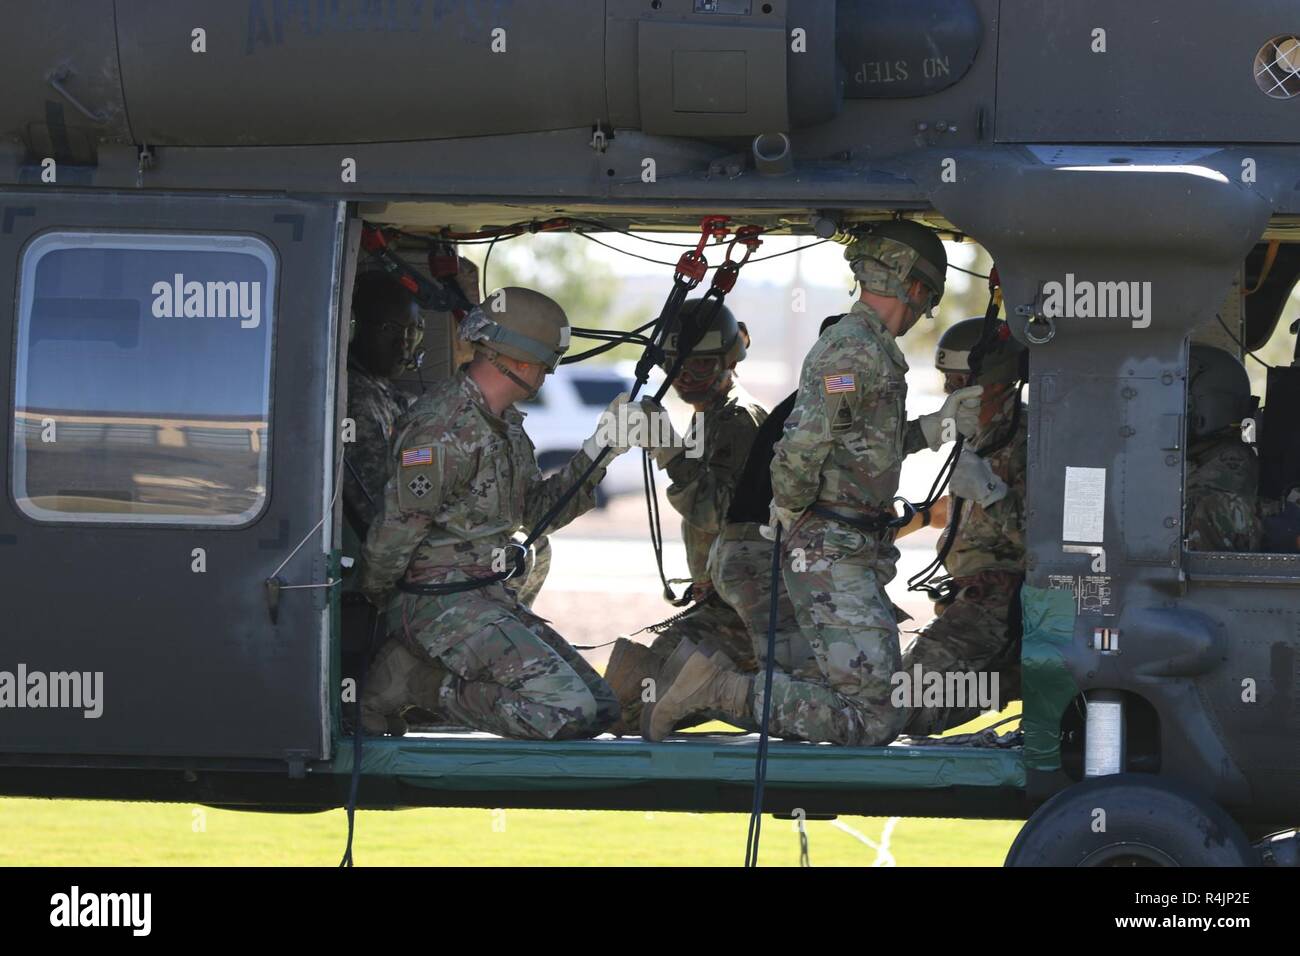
(704, 478)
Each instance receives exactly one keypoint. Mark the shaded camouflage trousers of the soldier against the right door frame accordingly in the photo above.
(972, 635)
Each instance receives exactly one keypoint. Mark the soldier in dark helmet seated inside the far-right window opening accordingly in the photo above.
(1223, 471)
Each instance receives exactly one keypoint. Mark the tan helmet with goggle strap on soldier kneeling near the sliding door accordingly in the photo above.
(519, 323)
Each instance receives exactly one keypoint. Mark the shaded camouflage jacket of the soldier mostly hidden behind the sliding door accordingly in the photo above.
(375, 405)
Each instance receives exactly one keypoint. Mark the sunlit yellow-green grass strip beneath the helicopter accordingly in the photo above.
(89, 833)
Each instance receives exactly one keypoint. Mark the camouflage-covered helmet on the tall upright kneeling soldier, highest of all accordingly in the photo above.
(889, 257)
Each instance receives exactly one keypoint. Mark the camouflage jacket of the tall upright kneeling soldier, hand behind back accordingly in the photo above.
(848, 434)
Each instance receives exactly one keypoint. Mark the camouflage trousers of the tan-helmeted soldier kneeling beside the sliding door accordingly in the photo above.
(510, 673)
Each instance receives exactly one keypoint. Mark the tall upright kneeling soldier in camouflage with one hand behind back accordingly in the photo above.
(834, 479)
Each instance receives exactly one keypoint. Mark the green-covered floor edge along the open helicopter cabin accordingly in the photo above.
(690, 772)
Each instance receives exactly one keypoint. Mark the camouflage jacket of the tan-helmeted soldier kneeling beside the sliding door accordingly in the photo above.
(465, 481)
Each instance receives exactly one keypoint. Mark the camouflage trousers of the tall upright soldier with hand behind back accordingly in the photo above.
(837, 577)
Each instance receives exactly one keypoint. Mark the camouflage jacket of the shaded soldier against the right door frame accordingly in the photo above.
(993, 539)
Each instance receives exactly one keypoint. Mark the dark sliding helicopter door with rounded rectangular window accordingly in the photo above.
(170, 371)
